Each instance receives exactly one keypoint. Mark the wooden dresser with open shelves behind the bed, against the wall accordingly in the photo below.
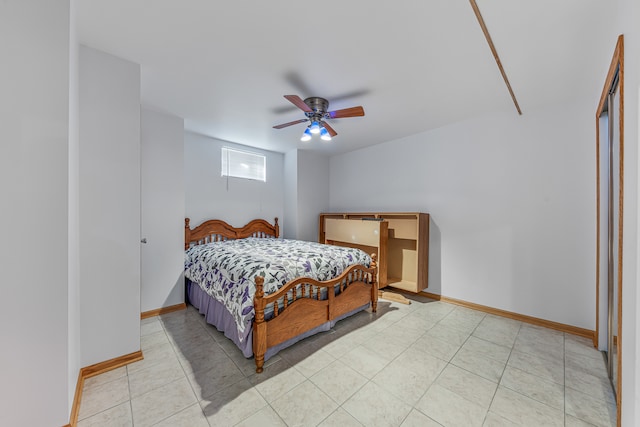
(400, 239)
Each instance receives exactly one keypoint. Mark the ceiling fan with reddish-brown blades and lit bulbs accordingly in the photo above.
(315, 108)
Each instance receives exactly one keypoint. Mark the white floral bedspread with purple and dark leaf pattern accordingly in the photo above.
(226, 270)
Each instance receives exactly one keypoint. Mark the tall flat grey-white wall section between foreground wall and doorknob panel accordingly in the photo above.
(109, 209)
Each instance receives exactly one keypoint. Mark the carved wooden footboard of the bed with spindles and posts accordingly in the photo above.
(299, 307)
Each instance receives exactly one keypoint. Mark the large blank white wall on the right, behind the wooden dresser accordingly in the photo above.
(513, 200)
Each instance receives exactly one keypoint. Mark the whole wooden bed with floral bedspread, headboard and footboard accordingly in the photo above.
(265, 308)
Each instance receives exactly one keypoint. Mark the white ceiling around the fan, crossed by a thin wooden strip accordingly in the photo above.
(413, 65)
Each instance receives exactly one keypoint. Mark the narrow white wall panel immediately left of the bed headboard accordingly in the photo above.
(162, 156)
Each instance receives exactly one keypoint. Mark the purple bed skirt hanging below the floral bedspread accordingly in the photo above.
(216, 314)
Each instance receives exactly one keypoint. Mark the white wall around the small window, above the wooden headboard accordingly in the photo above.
(236, 201)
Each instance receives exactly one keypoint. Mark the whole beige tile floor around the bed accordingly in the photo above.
(424, 364)
